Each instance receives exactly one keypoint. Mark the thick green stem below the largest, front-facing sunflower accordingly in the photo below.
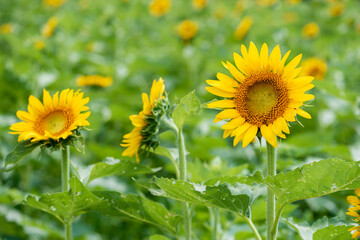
(270, 206)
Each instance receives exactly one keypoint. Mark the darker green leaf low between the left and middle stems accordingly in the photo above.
(139, 208)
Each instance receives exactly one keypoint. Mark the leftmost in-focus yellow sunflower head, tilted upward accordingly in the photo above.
(55, 118)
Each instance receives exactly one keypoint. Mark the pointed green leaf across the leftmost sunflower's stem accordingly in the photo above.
(66, 206)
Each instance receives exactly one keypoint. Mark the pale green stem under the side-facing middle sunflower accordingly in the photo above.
(182, 176)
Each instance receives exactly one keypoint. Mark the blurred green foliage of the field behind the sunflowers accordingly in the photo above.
(134, 48)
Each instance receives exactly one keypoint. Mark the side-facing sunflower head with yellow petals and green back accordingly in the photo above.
(147, 123)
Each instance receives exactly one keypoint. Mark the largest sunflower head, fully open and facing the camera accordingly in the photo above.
(263, 95)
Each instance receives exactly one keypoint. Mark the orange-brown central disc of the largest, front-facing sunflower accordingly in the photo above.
(262, 98)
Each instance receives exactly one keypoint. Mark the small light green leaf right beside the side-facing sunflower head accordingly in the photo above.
(187, 107)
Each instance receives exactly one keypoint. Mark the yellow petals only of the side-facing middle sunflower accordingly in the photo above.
(133, 140)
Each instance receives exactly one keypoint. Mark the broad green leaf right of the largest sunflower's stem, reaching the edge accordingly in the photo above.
(315, 179)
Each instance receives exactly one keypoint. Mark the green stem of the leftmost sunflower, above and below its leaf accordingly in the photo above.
(65, 175)
